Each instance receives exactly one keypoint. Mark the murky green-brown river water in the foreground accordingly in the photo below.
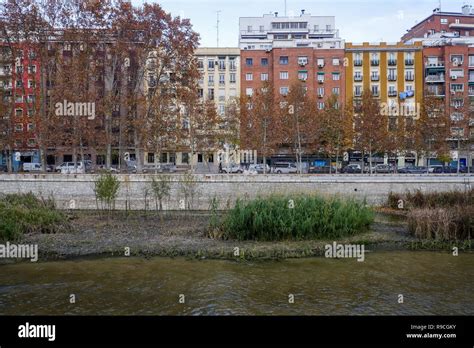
(431, 283)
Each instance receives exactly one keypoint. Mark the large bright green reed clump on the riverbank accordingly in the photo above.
(298, 218)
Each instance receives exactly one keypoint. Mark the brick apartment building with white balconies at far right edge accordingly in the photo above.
(448, 56)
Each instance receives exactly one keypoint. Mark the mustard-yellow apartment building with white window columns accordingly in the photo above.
(391, 72)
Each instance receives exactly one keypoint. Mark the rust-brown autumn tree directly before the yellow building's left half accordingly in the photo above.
(370, 126)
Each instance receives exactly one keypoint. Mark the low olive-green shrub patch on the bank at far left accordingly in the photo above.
(25, 213)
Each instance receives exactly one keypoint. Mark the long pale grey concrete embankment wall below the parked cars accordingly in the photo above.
(77, 191)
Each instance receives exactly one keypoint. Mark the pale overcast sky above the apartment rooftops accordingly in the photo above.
(357, 20)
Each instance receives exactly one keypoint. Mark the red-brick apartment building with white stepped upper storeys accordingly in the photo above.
(284, 49)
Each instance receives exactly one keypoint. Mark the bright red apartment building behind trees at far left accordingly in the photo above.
(20, 78)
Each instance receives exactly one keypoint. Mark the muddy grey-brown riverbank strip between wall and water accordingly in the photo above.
(186, 234)
